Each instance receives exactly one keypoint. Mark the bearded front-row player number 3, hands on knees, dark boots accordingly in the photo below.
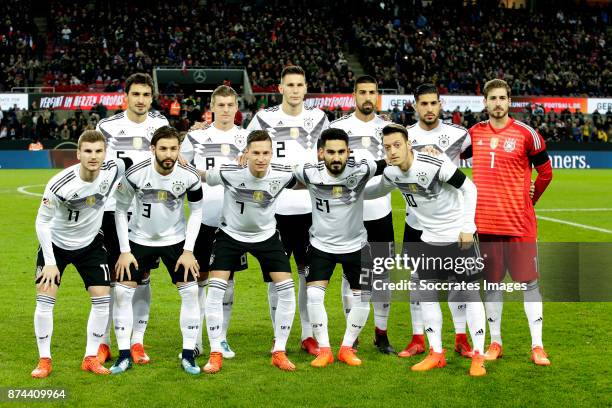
(158, 230)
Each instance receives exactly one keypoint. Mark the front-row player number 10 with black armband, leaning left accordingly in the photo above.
(443, 200)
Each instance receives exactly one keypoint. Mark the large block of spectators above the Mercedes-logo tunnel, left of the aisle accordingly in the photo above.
(102, 45)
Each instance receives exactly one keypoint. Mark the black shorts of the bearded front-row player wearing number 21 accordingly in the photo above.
(356, 266)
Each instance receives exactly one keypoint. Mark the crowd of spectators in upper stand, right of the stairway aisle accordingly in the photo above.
(548, 51)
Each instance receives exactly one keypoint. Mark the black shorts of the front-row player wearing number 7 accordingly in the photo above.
(227, 253)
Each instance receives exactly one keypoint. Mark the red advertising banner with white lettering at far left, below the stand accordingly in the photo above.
(83, 101)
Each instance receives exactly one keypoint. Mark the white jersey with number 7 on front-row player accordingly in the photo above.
(249, 201)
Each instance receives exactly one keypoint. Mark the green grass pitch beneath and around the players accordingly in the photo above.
(576, 335)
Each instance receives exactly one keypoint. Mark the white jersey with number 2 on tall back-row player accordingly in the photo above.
(294, 141)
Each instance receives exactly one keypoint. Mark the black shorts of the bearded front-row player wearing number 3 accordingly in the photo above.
(150, 255)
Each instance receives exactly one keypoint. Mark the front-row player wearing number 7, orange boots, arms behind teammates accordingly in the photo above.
(247, 223)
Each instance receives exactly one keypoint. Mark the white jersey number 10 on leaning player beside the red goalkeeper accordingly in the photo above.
(437, 205)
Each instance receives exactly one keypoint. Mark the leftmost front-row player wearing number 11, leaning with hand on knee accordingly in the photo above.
(67, 226)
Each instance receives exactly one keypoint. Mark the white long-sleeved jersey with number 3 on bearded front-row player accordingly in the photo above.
(159, 215)
